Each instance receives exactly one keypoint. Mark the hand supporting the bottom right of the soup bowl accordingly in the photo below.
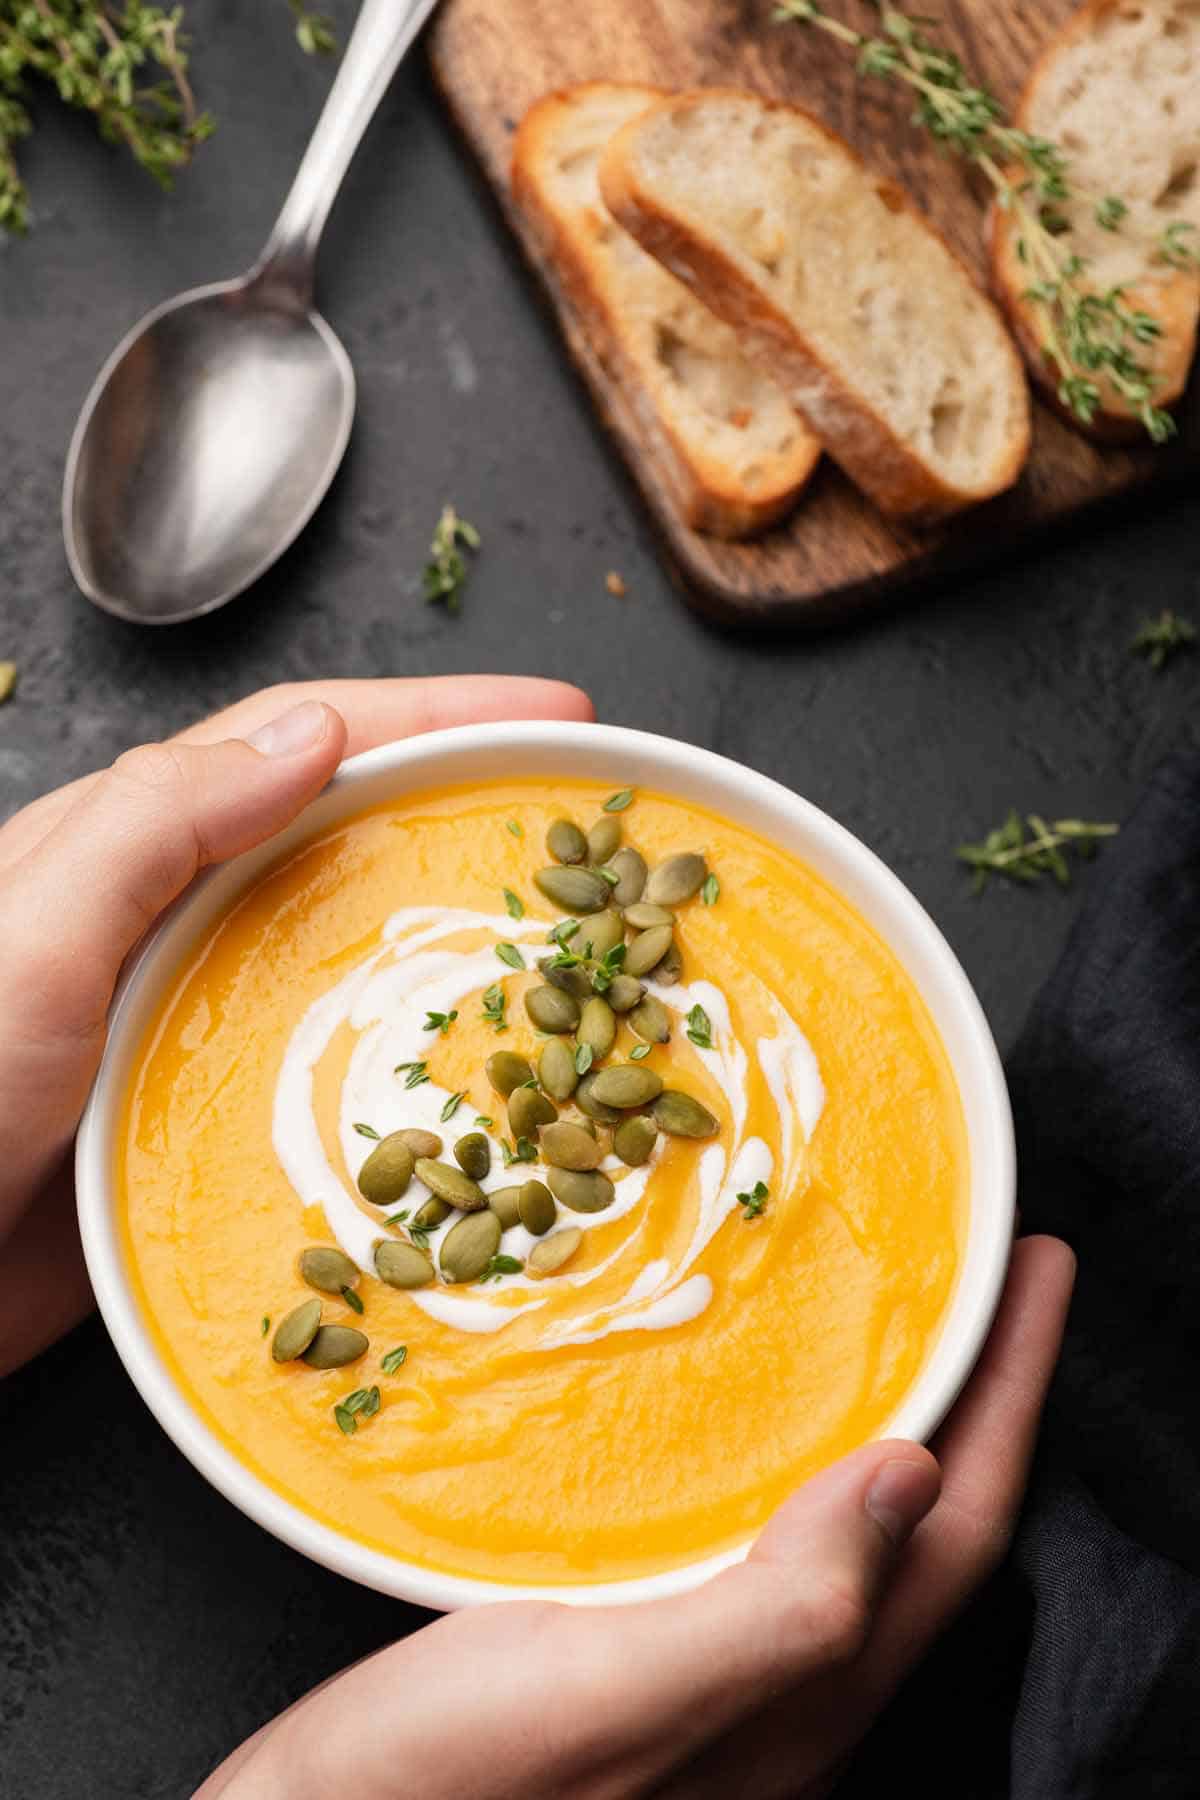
(757, 1686)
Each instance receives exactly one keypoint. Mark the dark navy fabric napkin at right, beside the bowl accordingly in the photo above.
(1077, 1675)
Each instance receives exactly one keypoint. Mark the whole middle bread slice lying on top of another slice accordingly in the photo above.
(837, 285)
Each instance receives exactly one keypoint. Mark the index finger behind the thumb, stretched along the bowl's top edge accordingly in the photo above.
(375, 712)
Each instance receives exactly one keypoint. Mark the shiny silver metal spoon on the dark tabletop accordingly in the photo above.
(217, 426)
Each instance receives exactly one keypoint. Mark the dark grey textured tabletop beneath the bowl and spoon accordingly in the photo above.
(145, 1626)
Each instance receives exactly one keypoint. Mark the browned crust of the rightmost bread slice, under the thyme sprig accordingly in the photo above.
(1176, 301)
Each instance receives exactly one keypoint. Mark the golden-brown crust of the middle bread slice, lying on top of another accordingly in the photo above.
(855, 435)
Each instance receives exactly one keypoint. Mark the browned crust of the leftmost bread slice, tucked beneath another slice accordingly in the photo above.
(704, 489)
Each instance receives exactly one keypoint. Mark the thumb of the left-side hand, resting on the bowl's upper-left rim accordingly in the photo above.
(73, 910)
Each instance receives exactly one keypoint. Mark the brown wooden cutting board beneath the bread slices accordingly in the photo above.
(836, 553)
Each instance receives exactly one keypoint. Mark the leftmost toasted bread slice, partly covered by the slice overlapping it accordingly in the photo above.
(724, 440)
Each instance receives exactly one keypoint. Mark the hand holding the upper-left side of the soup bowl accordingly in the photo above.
(87, 870)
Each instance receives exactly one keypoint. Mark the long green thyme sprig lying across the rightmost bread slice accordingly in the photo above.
(1088, 337)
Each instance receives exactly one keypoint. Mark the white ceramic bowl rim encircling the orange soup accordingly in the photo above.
(623, 759)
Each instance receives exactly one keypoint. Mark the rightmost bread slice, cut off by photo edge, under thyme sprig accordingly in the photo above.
(1120, 93)
